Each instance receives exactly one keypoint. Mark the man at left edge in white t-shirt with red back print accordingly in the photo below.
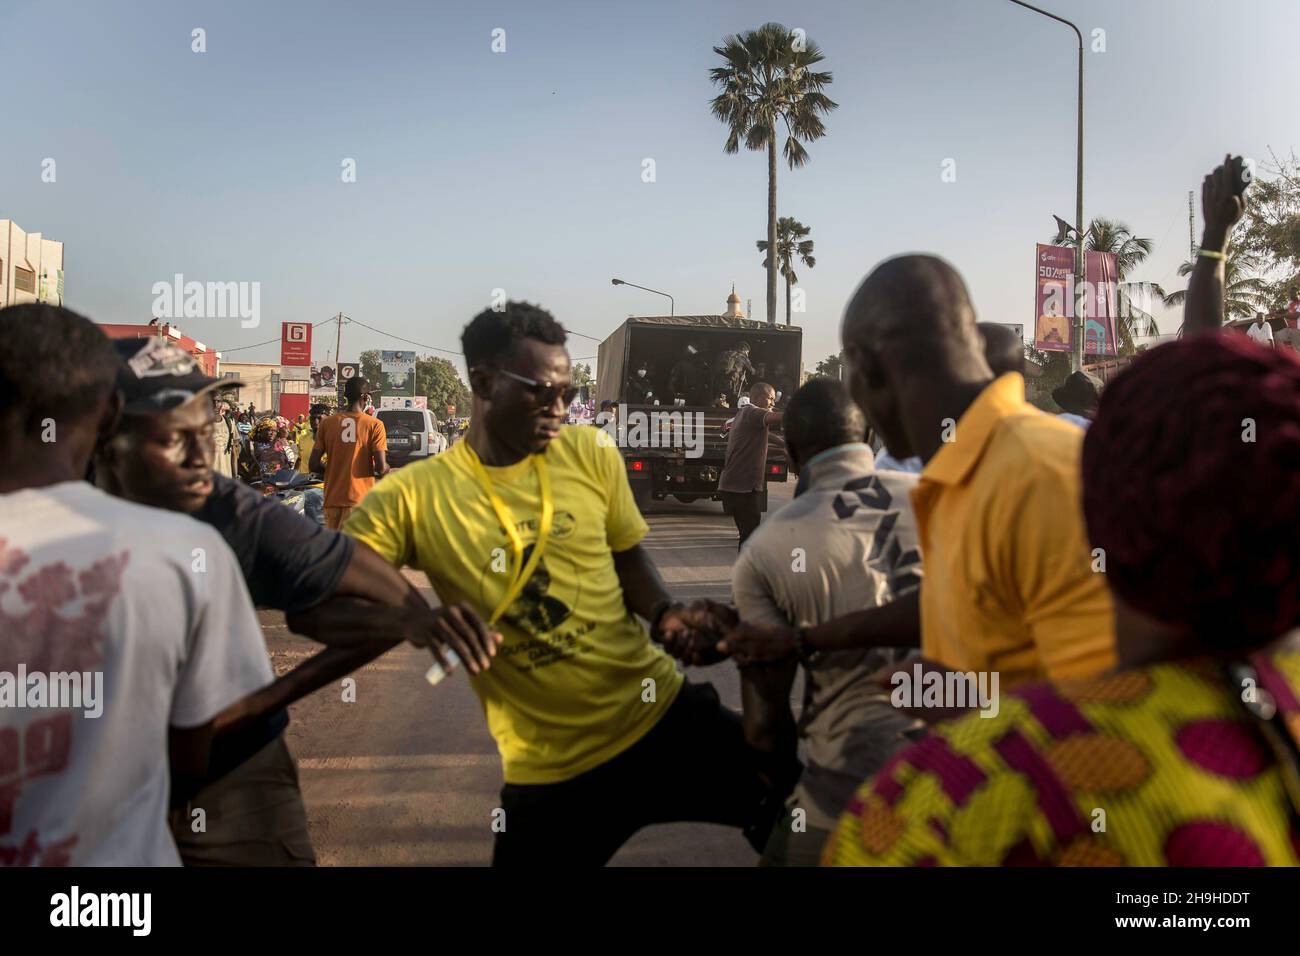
(125, 631)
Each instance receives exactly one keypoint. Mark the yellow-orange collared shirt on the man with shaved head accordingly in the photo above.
(1011, 581)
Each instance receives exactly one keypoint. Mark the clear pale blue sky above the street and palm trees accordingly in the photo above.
(523, 170)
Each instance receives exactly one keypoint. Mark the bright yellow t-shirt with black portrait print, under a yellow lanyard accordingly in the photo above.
(578, 680)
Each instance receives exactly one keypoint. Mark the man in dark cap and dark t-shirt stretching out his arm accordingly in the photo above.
(332, 590)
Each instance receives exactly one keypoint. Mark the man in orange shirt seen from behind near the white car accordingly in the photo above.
(358, 449)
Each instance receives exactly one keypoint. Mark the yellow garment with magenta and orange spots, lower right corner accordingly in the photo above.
(1160, 767)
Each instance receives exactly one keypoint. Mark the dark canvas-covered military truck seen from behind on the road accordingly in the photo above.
(670, 430)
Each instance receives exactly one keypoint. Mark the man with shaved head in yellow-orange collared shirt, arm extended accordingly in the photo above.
(1011, 586)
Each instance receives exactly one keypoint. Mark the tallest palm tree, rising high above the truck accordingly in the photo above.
(766, 80)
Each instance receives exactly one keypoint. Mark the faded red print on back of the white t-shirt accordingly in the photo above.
(57, 628)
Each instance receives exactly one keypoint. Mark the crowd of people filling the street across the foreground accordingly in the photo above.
(1108, 590)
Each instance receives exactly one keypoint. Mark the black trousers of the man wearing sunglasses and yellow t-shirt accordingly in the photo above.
(695, 765)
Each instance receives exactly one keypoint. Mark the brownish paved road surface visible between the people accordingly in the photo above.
(409, 775)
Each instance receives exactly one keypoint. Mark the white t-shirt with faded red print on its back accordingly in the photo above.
(155, 603)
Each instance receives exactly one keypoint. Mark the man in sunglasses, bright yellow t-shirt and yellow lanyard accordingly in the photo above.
(599, 733)
